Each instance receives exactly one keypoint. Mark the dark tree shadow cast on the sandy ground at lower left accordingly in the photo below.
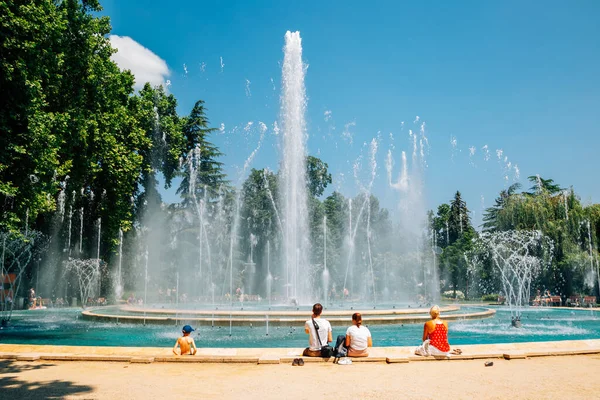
(11, 387)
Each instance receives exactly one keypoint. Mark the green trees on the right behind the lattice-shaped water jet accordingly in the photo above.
(572, 228)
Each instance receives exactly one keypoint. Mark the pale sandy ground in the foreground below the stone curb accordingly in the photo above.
(567, 377)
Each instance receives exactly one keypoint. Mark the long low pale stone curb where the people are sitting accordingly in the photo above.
(260, 356)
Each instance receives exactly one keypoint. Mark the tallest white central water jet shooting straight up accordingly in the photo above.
(293, 171)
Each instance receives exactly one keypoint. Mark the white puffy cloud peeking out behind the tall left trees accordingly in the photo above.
(143, 63)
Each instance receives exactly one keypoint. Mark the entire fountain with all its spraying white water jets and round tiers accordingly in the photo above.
(215, 256)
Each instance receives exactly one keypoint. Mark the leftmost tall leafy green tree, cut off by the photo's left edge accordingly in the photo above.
(29, 146)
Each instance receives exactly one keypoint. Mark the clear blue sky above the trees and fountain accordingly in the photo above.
(521, 77)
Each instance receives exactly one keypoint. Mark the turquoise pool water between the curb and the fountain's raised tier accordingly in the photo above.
(66, 327)
